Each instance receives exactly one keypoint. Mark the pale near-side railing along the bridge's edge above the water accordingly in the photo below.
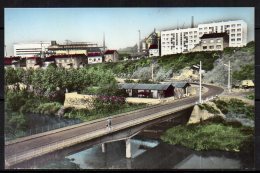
(26, 155)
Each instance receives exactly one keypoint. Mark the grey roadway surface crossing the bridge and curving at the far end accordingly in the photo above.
(23, 146)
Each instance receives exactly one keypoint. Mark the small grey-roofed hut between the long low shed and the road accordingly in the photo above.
(181, 89)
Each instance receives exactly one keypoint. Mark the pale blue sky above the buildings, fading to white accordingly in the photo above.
(120, 25)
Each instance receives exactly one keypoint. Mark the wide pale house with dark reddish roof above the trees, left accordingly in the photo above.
(69, 61)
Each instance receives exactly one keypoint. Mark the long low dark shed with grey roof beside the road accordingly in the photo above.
(148, 90)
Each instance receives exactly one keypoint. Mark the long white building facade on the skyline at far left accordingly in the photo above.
(30, 49)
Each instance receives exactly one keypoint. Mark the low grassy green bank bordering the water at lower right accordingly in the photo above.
(212, 134)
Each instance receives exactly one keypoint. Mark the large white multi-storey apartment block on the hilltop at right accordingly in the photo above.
(184, 40)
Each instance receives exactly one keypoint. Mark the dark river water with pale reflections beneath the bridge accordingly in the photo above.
(148, 152)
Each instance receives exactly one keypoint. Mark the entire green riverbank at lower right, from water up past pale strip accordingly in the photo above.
(233, 131)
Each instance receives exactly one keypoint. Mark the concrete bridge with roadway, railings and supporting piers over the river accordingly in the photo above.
(124, 126)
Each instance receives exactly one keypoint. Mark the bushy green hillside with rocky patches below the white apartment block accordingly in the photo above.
(169, 66)
